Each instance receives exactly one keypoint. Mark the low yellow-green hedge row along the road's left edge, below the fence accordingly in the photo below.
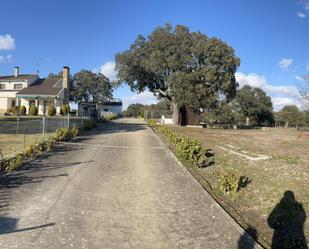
(32, 150)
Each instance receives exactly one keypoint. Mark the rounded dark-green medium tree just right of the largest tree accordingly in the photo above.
(255, 104)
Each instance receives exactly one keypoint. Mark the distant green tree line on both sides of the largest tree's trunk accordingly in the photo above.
(250, 105)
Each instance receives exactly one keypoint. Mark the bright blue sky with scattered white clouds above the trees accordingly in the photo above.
(270, 37)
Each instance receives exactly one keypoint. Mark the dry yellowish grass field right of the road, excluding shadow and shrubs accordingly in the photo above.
(286, 170)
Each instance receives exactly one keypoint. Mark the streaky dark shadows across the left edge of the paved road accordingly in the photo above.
(33, 172)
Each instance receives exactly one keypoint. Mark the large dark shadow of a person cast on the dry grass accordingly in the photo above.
(287, 219)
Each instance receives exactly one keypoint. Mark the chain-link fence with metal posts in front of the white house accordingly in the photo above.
(17, 132)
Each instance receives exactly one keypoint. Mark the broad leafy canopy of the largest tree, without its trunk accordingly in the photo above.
(188, 68)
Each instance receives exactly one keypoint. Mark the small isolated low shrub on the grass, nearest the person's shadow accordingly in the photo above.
(231, 181)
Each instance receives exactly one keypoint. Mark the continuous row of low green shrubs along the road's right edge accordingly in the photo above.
(186, 149)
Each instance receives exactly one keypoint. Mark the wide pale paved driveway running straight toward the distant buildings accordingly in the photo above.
(116, 187)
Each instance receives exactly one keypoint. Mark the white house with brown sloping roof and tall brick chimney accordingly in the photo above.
(30, 89)
